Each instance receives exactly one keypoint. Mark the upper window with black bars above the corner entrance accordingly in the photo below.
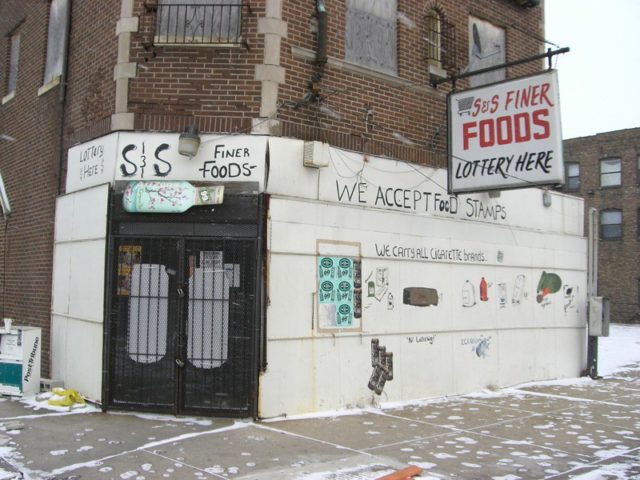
(210, 22)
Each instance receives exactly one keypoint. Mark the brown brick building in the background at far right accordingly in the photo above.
(604, 169)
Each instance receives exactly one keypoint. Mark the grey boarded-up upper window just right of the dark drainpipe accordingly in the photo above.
(370, 34)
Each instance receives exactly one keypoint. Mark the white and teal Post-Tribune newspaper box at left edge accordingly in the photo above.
(20, 351)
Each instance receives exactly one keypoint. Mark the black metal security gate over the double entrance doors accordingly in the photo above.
(183, 322)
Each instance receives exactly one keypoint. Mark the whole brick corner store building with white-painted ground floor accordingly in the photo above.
(281, 298)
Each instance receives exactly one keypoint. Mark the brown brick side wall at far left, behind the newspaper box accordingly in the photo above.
(30, 167)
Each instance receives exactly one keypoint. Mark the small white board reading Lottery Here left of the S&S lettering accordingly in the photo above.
(92, 163)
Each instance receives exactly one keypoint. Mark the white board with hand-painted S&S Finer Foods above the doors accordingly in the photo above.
(155, 156)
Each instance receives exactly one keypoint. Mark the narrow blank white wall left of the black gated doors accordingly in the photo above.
(78, 290)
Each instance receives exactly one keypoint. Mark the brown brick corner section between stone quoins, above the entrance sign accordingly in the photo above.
(213, 87)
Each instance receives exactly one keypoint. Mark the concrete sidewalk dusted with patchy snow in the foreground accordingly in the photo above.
(579, 428)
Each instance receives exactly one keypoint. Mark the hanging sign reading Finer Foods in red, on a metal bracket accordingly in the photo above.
(506, 135)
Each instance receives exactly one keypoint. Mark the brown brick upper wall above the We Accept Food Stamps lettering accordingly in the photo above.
(416, 114)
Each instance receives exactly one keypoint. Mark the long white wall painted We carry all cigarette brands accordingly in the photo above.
(435, 347)
